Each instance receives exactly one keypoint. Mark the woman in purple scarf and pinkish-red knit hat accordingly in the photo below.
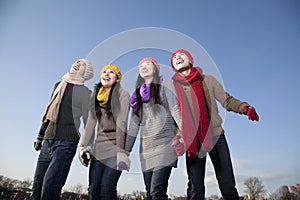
(155, 114)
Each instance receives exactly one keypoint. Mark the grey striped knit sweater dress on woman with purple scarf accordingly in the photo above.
(157, 126)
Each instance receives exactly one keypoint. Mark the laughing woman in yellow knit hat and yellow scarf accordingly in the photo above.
(105, 152)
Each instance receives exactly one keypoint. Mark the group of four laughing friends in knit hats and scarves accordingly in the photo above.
(173, 117)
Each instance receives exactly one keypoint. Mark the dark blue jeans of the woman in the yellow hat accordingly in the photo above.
(103, 179)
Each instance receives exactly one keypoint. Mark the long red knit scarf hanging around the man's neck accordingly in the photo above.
(194, 128)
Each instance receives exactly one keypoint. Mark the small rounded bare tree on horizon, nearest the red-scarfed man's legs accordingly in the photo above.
(254, 187)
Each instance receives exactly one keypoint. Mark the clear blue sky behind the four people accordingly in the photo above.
(254, 45)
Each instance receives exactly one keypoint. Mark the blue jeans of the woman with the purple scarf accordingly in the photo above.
(156, 183)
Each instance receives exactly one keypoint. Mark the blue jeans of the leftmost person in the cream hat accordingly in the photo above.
(52, 168)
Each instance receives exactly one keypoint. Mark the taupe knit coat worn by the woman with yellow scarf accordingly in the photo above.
(110, 137)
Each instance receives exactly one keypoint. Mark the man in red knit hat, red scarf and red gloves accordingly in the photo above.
(202, 130)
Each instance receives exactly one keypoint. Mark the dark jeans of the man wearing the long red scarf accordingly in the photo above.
(220, 157)
